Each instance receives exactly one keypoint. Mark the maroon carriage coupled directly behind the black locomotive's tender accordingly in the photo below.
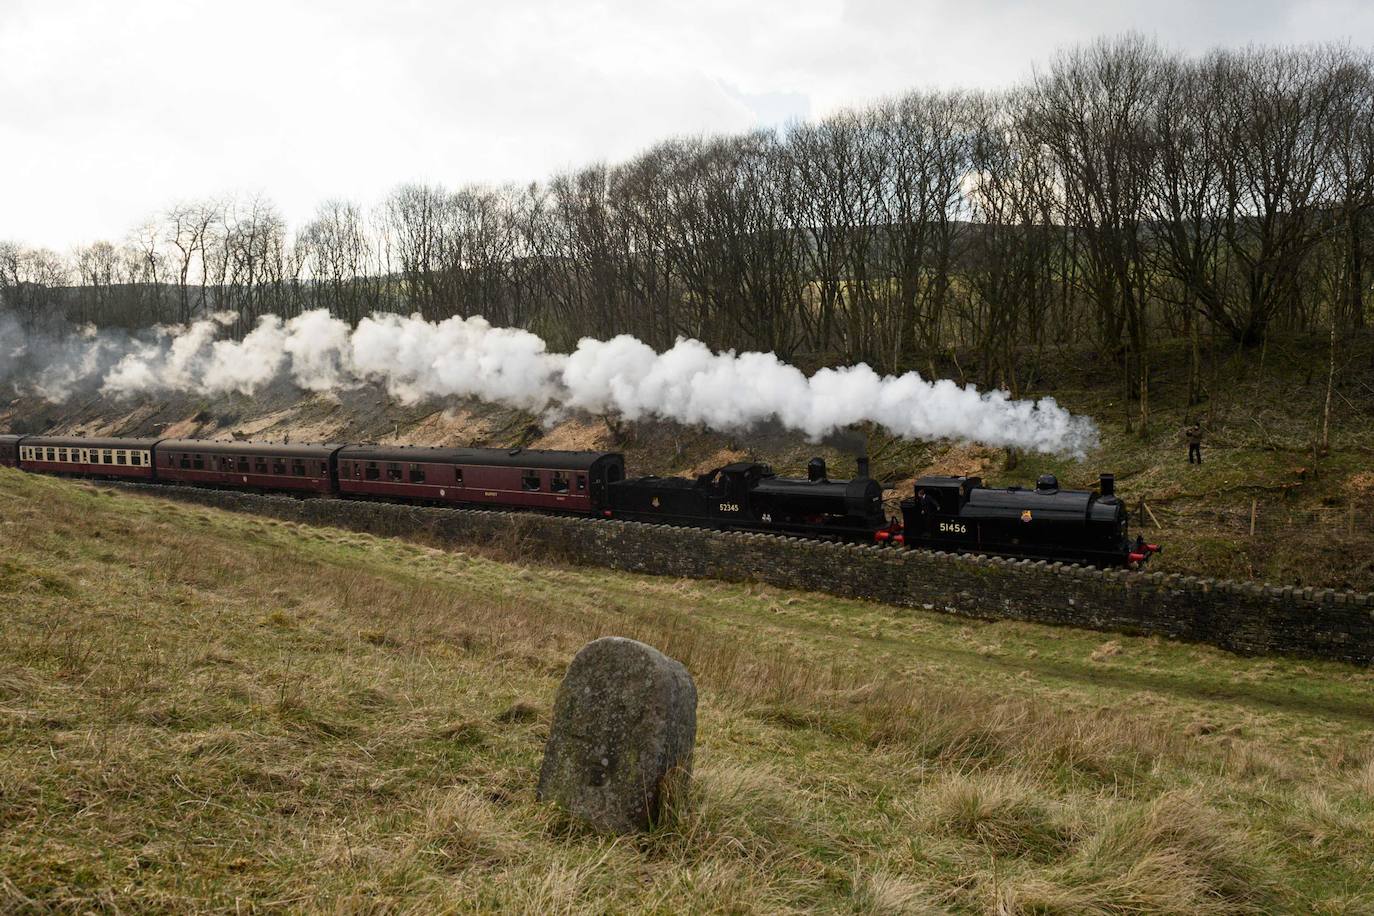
(519, 479)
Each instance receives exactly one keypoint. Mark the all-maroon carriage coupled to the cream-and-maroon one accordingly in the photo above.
(267, 466)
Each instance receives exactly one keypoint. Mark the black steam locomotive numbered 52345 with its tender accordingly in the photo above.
(750, 496)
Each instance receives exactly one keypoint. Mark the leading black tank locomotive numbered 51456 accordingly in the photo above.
(960, 514)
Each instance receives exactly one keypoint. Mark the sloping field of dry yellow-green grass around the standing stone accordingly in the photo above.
(203, 711)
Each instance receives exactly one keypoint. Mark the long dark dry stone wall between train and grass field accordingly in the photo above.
(1241, 617)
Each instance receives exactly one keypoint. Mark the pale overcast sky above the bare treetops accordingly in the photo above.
(113, 109)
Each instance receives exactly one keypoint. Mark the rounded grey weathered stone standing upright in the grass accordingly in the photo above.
(623, 735)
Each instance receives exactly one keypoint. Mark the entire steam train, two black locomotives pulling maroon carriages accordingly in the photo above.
(956, 514)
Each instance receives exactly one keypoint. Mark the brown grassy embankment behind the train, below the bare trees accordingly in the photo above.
(1265, 413)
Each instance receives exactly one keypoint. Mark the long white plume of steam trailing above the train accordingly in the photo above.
(469, 358)
